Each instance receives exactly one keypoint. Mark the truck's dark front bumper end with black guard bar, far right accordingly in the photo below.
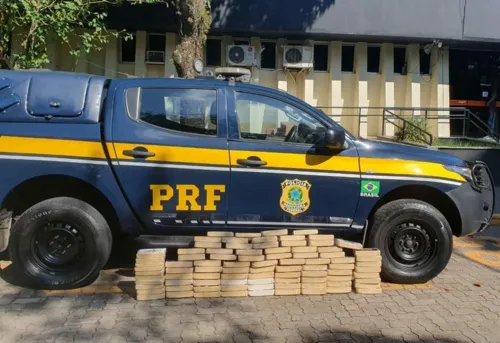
(475, 202)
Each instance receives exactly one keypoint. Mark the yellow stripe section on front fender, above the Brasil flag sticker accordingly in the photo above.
(405, 167)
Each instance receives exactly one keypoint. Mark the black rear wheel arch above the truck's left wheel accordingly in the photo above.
(40, 188)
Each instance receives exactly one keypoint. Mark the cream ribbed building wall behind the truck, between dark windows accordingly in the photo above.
(336, 91)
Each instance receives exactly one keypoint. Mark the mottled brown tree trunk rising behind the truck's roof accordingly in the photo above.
(194, 19)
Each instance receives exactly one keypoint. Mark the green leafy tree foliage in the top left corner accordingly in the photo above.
(79, 24)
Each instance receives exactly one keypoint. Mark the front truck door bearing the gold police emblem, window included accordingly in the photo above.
(280, 174)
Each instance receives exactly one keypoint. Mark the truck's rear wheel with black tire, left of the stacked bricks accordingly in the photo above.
(60, 243)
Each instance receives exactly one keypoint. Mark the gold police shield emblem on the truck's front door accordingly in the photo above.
(295, 196)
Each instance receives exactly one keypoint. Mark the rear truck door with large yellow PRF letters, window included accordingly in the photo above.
(170, 153)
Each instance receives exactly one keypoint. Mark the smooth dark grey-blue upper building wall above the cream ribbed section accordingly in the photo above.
(377, 20)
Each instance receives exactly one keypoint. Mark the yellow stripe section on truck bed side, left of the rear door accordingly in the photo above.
(54, 147)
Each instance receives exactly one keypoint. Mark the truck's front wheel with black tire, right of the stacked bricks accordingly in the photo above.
(414, 238)
